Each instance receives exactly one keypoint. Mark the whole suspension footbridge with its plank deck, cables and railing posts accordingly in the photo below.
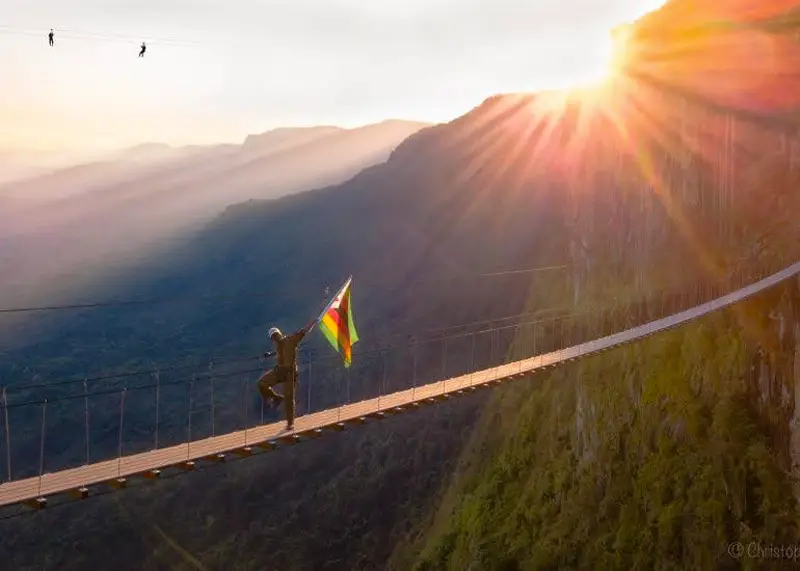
(537, 346)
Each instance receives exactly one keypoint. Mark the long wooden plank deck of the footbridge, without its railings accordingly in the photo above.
(114, 472)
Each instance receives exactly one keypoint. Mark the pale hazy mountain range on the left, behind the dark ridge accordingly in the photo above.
(85, 217)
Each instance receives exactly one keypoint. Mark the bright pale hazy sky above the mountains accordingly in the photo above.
(250, 65)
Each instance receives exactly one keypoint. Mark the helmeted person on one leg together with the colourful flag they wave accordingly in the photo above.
(336, 323)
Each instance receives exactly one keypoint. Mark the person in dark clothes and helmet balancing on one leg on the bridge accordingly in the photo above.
(285, 371)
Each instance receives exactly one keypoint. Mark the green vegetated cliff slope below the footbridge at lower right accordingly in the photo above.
(657, 455)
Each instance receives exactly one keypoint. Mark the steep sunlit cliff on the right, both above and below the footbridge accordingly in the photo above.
(662, 454)
